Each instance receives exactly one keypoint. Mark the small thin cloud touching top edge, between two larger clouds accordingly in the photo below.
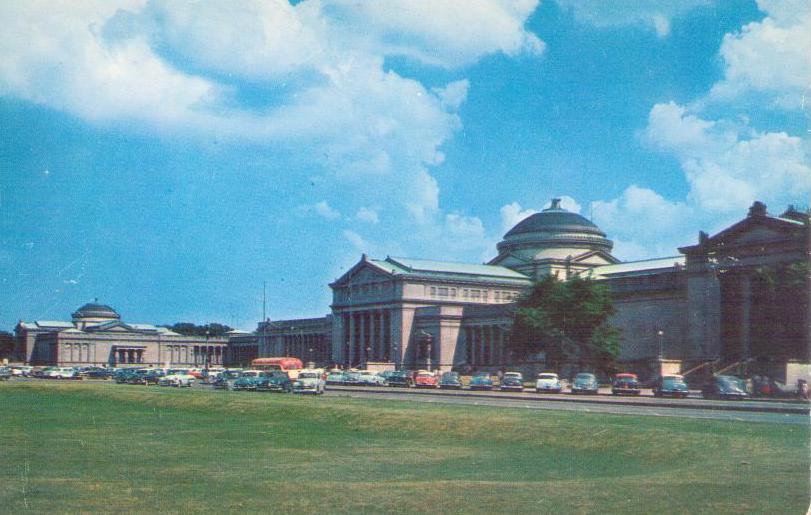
(655, 14)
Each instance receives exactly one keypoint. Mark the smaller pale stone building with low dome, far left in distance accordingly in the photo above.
(97, 336)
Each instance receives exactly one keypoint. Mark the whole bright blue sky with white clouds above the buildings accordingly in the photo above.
(168, 158)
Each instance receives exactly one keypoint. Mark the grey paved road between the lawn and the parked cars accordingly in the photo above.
(567, 403)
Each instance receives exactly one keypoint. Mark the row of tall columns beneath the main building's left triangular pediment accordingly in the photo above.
(368, 336)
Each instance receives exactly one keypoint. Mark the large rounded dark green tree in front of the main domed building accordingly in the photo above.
(568, 321)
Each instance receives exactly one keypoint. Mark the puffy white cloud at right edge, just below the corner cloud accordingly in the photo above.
(729, 166)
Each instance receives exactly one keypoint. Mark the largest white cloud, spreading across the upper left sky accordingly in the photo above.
(318, 67)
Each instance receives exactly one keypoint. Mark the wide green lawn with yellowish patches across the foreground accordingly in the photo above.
(99, 447)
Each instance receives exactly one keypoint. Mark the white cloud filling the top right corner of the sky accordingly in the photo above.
(771, 57)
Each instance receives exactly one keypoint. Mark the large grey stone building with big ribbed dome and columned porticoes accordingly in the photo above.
(719, 302)
